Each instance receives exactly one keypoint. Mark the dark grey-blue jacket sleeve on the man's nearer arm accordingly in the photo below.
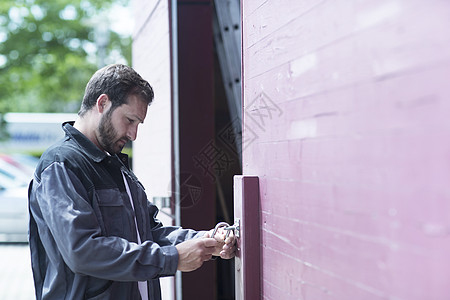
(58, 203)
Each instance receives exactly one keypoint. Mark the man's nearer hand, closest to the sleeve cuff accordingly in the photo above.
(193, 253)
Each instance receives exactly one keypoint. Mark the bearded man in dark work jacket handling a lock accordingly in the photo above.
(93, 233)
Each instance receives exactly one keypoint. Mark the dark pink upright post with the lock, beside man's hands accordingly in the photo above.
(247, 219)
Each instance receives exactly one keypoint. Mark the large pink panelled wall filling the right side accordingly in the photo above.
(347, 125)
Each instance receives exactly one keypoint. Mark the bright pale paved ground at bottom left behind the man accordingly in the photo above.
(16, 280)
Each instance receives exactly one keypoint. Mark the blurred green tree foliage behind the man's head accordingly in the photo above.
(48, 52)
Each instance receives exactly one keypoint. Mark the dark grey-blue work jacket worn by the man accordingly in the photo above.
(83, 236)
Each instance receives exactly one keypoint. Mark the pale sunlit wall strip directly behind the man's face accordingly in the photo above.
(152, 150)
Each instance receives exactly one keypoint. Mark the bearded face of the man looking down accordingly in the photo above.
(119, 126)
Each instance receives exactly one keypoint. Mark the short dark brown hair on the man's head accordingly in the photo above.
(118, 82)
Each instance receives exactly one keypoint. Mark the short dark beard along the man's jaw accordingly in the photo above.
(108, 137)
